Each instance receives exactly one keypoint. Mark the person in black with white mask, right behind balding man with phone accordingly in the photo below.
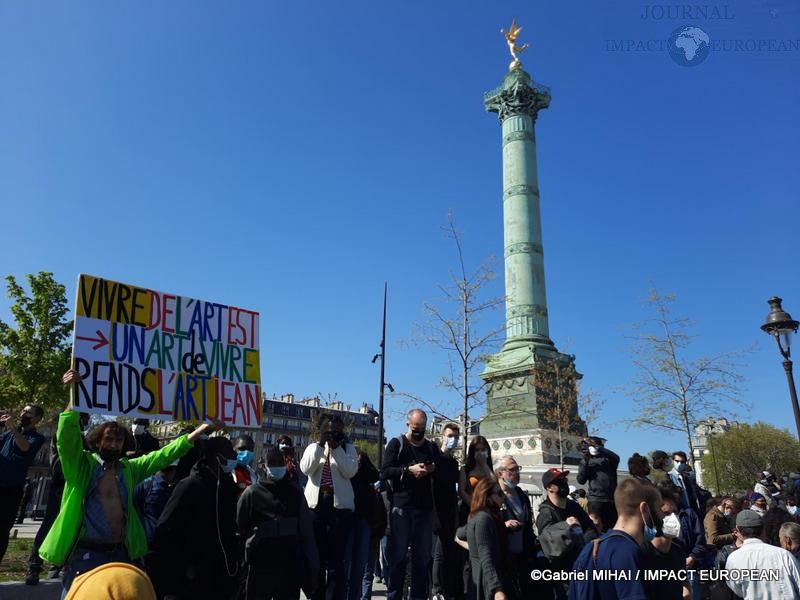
(447, 556)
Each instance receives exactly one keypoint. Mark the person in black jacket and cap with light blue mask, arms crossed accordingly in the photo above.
(277, 526)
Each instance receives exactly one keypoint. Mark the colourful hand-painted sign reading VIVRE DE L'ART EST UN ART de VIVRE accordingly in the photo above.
(143, 353)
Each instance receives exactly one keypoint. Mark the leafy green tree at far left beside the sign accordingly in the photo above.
(35, 354)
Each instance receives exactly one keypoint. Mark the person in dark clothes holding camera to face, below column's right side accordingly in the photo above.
(598, 468)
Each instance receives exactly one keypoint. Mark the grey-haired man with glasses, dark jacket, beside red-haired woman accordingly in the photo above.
(518, 519)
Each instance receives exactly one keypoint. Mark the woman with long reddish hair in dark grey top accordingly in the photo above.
(488, 542)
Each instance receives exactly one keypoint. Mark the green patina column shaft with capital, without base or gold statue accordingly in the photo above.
(518, 102)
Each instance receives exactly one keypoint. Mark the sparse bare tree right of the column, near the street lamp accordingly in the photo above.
(671, 390)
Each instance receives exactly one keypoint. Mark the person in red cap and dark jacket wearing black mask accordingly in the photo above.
(563, 526)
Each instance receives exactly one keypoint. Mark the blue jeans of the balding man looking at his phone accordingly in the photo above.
(410, 527)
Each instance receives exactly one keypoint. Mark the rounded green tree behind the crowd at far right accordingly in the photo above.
(745, 450)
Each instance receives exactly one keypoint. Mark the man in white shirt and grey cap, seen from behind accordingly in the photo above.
(756, 555)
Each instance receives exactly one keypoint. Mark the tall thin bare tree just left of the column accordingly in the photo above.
(453, 325)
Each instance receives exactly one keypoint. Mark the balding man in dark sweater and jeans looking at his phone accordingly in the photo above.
(409, 463)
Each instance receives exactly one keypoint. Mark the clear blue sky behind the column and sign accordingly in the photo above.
(290, 157)
